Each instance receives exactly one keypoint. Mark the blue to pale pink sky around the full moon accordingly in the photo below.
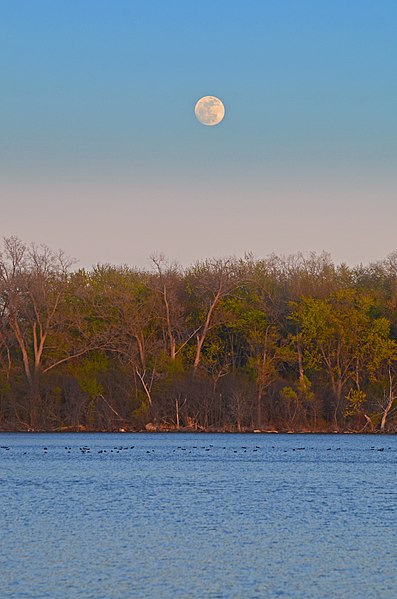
(101, 154)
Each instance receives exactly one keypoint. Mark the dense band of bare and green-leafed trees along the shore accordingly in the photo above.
(283, 343)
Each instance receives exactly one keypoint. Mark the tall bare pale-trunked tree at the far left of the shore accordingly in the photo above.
(33, 282)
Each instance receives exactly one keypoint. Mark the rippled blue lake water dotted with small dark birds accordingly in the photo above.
(206, 515)
